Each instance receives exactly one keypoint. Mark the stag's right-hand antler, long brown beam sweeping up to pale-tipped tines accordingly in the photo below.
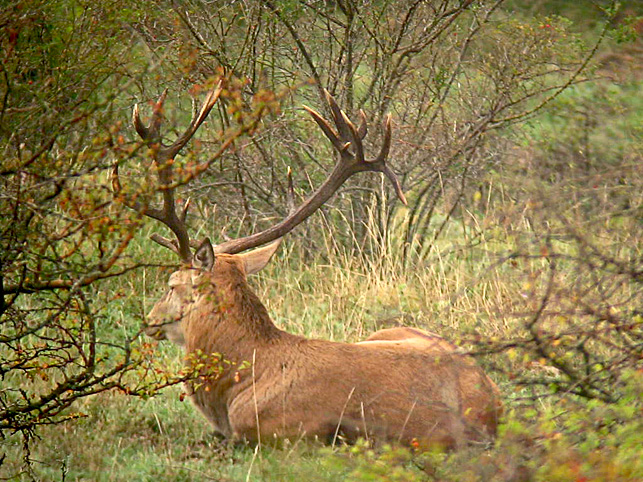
(349, 163)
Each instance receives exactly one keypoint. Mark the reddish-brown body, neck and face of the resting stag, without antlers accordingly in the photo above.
(400, 384)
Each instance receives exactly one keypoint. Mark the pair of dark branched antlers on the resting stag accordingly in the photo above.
(345, 137)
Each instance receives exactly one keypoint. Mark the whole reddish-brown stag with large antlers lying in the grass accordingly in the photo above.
(401, 384)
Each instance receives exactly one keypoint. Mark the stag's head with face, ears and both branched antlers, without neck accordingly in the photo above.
(346, 138)
